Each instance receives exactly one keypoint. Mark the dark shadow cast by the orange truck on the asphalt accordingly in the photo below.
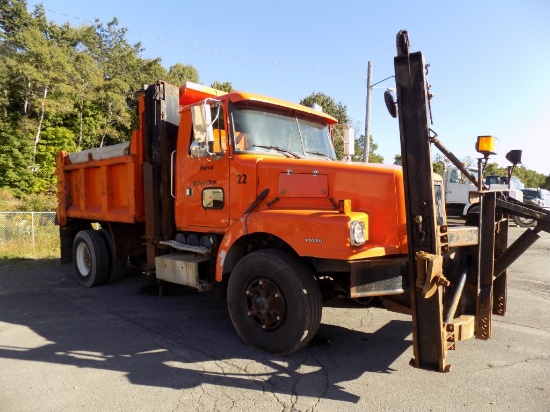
(183, 340)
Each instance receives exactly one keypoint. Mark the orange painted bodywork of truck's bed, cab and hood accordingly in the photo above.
(301, 207)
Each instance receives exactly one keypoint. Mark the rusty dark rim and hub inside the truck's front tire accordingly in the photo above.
(266, 304)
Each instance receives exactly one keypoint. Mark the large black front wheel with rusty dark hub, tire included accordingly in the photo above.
(274, 301)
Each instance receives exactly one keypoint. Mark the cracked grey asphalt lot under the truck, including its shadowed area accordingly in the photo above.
(122, 348)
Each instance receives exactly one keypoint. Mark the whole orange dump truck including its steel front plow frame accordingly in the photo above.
(243, 193)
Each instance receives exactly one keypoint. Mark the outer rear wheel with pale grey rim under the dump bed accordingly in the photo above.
(91, 258)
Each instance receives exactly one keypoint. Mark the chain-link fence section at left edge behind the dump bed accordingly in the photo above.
(29, 234)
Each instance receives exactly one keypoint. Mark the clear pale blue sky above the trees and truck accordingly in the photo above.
(489, 60)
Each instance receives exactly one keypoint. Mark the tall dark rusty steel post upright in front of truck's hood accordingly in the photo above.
(422, 231)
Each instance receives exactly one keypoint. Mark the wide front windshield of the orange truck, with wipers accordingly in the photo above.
(283, 132)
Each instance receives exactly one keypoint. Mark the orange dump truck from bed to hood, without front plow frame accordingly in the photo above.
(242, 192)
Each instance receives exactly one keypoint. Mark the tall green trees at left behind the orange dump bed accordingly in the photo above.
(64, 87)
